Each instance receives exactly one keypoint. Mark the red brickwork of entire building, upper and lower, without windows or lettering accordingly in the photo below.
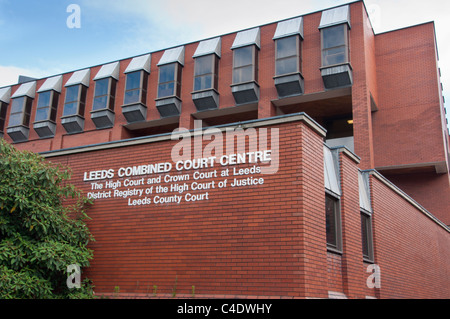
(270, 240)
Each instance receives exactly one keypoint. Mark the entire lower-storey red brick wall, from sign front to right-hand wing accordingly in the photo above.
(266, 240)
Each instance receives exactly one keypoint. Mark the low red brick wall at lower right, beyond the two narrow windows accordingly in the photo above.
(411, 250)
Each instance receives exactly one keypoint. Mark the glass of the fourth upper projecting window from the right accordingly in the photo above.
(205, 73)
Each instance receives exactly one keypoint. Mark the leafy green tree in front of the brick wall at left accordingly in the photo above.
(42, 228)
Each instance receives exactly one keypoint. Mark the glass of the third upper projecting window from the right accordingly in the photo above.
(244, 64)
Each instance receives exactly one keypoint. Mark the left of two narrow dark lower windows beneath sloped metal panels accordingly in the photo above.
(333, 226)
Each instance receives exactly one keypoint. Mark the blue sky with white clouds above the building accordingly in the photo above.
(49, 37)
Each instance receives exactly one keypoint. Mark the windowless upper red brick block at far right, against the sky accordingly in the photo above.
(408, 98)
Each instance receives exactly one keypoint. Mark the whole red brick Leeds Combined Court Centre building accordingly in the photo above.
(337, 185)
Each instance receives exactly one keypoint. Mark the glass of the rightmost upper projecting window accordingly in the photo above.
(334, 45)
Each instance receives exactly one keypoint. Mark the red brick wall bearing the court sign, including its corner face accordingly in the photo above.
(263, 240)
